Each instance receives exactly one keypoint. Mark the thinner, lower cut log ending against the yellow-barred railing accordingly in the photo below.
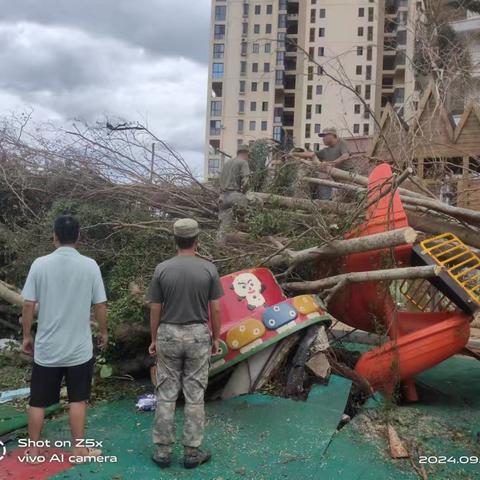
(375, 275)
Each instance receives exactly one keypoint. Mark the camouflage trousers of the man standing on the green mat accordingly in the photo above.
(183, 360)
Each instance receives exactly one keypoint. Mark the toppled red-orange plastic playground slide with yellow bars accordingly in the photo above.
(419, 339)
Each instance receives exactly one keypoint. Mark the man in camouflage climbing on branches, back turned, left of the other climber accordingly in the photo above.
(233, 185)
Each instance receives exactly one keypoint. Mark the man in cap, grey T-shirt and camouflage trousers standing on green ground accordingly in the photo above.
(182, 291)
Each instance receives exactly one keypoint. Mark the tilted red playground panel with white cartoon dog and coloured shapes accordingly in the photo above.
(256, 314)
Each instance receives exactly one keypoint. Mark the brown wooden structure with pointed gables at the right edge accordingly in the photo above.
(444, 153)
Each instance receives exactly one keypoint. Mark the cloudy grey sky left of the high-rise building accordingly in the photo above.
(142, 60)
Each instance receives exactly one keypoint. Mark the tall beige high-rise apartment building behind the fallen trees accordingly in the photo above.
(287, 69)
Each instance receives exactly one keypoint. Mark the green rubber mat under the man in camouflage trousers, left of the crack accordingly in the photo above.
(251, 437)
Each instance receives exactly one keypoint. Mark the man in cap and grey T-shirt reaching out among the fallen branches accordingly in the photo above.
(335, 154)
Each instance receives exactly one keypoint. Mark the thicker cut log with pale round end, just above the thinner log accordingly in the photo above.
(345, 247)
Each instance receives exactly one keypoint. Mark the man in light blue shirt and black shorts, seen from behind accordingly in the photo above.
(64, 285)
